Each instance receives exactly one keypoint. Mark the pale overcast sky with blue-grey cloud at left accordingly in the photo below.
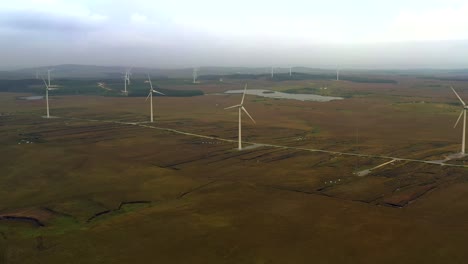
(187, 33)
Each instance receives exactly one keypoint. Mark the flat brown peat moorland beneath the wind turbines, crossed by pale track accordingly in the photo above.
(99, 184)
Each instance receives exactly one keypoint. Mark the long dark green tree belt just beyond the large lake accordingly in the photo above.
(296, 76)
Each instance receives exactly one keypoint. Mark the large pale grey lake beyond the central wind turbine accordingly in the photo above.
(280, 95)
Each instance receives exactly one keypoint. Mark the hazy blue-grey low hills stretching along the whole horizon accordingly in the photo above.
(74, 71)
